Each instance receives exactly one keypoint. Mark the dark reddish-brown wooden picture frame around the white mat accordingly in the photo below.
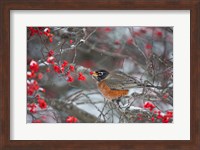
(7, 6)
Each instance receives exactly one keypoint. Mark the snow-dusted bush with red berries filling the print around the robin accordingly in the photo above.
(60, 88)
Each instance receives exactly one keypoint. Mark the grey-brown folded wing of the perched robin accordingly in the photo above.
(119, 81)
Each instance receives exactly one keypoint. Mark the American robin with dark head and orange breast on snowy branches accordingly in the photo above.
(115, 85)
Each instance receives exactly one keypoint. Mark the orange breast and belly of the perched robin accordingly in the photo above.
(109, 93)
